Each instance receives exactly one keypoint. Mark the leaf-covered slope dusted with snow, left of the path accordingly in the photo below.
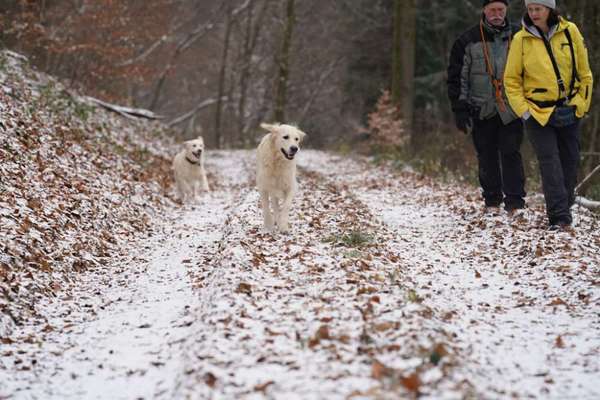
(74, 181)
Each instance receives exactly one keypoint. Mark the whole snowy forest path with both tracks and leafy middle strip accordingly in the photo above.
(389, 285)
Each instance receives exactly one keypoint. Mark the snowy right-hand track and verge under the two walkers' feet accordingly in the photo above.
(520, 301)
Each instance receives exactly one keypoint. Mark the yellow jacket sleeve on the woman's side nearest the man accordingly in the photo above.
(513, 77)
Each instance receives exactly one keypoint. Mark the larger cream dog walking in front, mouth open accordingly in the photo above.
(276, 173)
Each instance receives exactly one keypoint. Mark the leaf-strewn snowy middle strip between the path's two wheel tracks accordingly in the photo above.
(307, 315)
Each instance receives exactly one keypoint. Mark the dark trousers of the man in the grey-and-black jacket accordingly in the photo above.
(501, 172)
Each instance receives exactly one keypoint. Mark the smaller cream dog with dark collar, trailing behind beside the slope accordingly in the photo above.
(188, 166)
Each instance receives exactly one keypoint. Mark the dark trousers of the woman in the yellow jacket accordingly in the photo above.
(557, 151)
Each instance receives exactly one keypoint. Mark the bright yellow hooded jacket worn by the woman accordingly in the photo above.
(529, 74)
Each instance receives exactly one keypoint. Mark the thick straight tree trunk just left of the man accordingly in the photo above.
(403, 65)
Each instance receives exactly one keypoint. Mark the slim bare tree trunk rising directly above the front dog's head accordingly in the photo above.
(283, 62)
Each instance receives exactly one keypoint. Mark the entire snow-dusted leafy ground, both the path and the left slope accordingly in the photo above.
(390, 285)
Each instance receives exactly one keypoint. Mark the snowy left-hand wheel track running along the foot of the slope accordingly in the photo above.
(129, 340)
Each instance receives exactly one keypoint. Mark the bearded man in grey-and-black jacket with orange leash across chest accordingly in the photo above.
(480, 107)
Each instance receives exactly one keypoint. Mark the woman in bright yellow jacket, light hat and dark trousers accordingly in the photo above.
(551, 96)
